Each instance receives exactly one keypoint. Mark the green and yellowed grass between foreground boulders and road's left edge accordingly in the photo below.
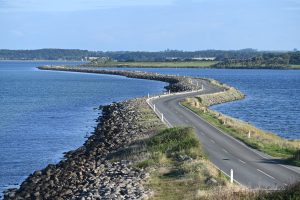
(179, 169)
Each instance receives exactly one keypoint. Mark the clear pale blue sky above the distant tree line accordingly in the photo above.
(150, 25)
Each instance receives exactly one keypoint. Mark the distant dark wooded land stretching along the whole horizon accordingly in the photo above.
(245, 58)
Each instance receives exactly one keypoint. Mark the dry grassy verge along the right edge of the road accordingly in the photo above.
(287, 150)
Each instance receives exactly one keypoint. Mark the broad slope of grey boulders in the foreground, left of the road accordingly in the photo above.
(88, 173)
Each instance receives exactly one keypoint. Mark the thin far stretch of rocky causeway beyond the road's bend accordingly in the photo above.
(176, 83)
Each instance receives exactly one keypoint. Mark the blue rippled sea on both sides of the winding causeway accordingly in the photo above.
(46, 113)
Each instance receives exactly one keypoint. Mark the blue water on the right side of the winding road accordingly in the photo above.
(273, 96)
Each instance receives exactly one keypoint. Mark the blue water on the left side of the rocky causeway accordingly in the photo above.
(46, 113)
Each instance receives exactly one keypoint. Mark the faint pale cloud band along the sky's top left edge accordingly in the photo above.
(73, 5)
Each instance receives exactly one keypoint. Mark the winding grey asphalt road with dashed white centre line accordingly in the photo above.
(250, 167)
